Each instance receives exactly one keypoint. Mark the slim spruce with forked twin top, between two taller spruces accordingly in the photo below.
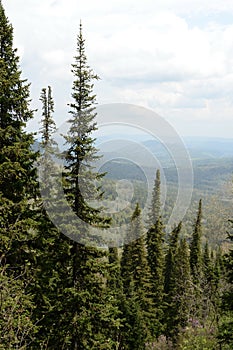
(52, 280)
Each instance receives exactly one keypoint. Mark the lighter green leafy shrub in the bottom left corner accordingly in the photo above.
(18, 330)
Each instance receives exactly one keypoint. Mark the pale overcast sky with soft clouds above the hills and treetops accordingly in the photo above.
(172, 56)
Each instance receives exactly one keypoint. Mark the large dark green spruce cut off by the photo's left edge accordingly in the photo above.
(18, 188)
